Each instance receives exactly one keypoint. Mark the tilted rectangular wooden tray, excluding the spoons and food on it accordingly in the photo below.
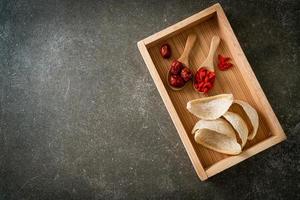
(239, 80)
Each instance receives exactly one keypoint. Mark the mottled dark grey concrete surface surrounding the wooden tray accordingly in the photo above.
(81, 118)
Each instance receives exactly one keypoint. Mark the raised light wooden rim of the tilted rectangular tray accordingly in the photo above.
(232, 160)
